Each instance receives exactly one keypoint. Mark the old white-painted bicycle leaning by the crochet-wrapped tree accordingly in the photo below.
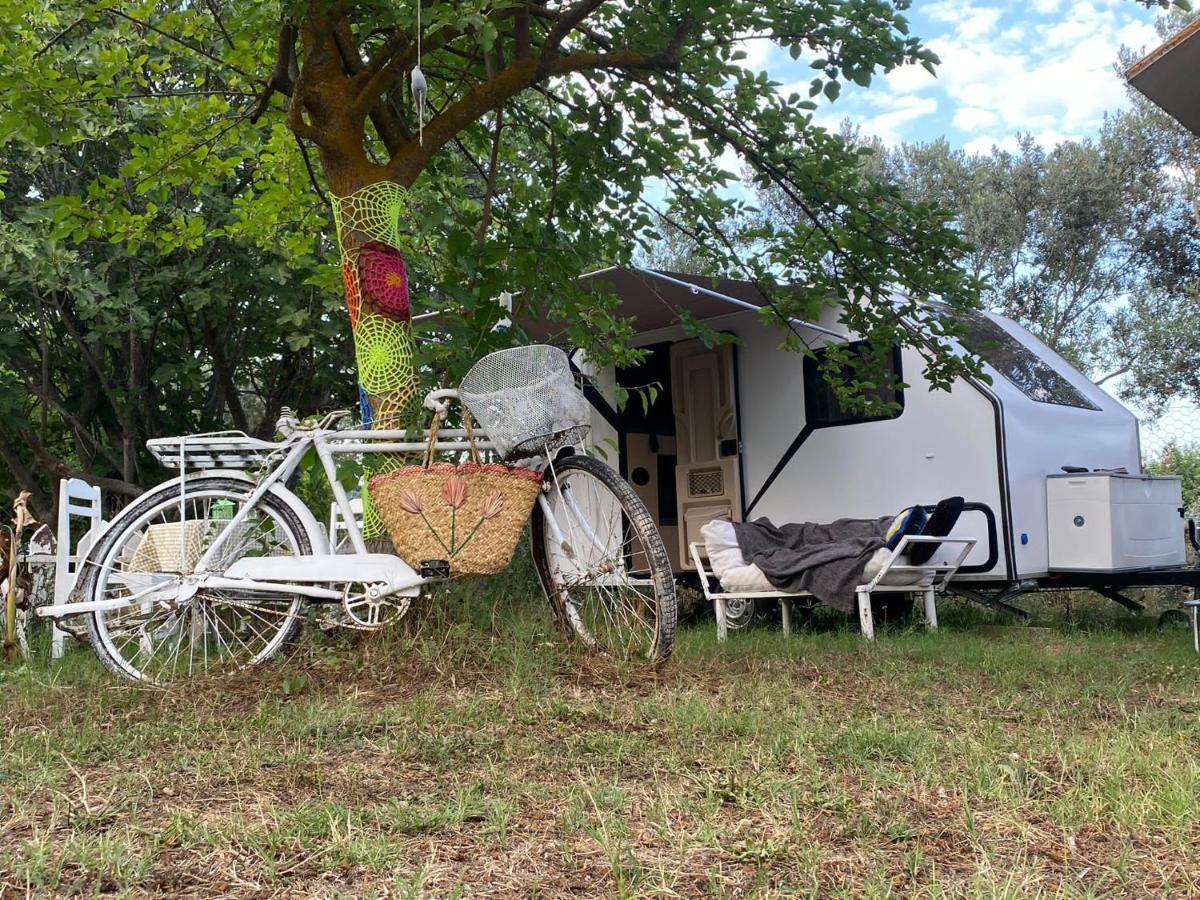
(213, 571)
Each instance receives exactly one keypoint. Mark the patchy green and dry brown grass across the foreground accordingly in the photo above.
(470, 754)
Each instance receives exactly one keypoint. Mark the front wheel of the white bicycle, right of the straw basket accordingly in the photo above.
(603, 563)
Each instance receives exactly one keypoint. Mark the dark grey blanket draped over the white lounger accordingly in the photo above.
(827, 561)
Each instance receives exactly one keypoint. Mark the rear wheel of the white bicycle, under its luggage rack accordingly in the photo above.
(176, 631)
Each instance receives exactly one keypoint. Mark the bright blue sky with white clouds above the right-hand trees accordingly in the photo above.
(1043, 68)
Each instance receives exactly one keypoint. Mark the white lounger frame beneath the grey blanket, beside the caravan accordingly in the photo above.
(935, 577)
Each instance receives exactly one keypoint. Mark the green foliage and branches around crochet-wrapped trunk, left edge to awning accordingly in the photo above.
(166, 227)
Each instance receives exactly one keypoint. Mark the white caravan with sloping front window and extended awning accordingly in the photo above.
(748, 430)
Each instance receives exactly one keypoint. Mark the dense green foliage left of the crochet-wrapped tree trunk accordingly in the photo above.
(158, 253)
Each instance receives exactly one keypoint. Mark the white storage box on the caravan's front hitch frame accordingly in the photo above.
(1097, 523)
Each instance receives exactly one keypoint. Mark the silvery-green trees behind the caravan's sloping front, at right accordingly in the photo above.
(1093, 245)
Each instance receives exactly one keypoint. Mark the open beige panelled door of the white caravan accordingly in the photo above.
(709, 481)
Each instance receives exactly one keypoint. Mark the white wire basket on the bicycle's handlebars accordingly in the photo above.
(527, 401)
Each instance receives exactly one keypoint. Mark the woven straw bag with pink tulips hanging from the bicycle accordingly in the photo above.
(470, 515)
